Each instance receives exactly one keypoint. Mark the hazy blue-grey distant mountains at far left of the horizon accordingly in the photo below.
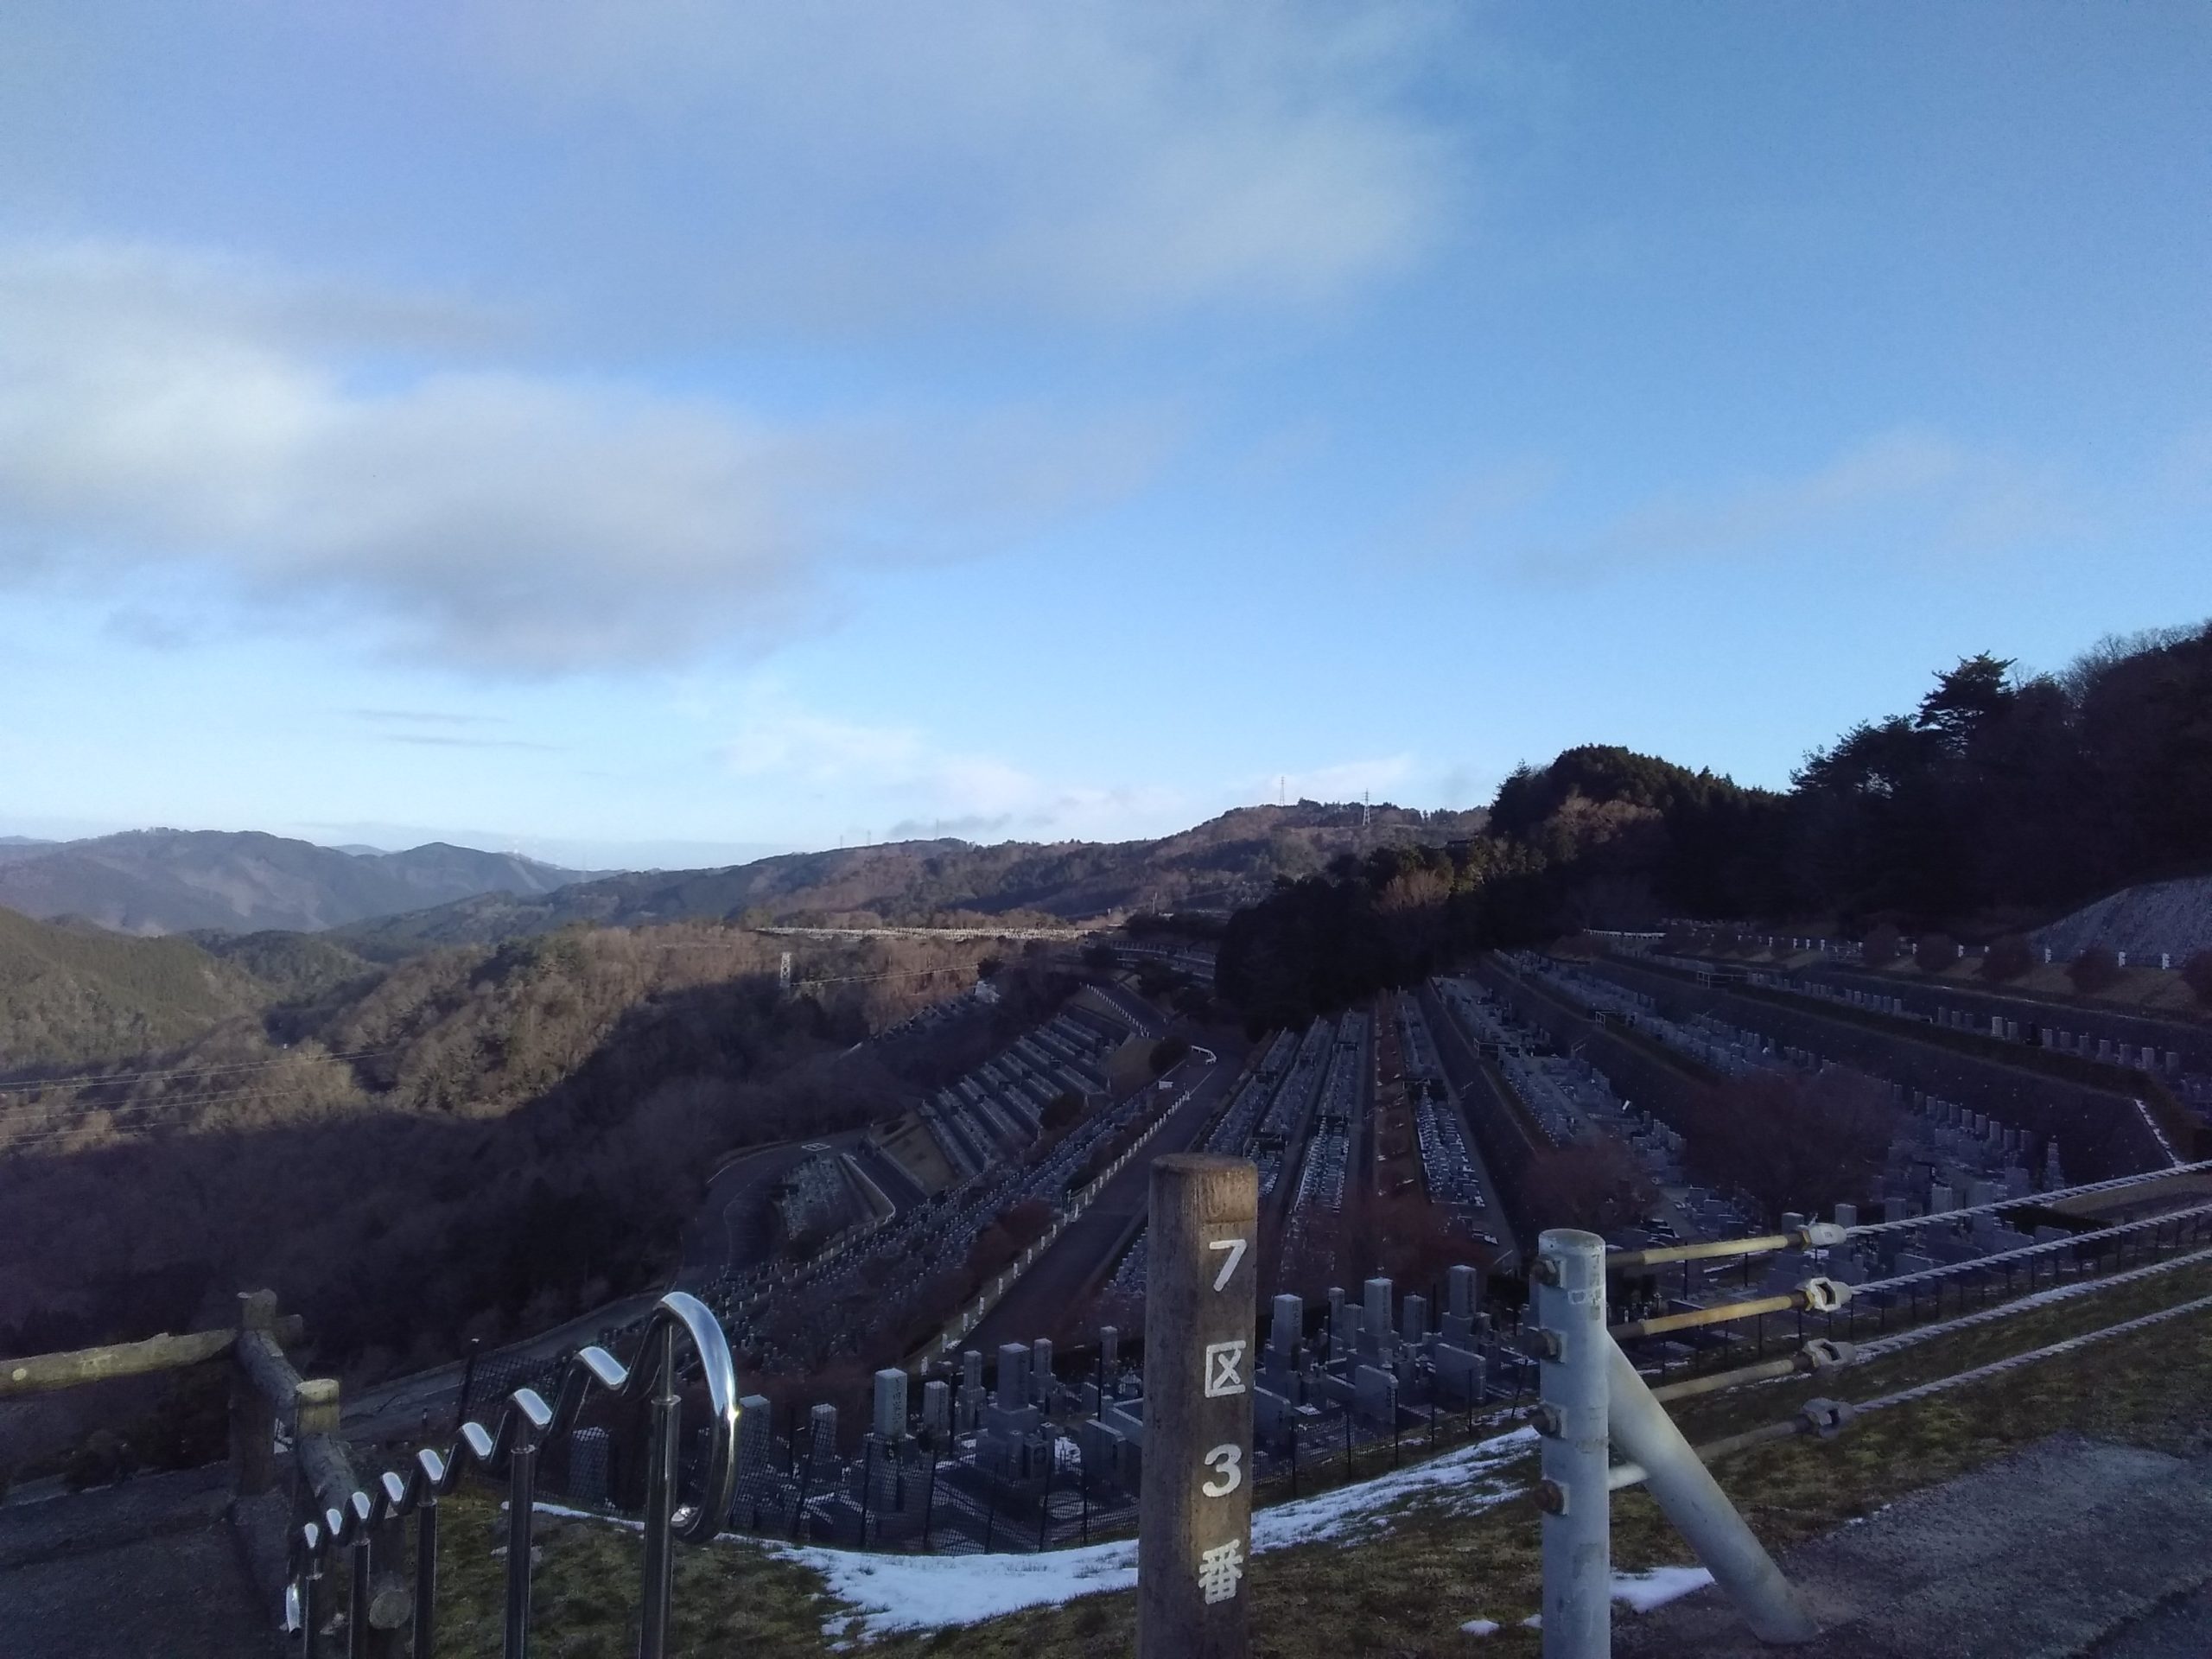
(178, 881)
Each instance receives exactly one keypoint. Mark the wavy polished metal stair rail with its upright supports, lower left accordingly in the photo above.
(525, 1428)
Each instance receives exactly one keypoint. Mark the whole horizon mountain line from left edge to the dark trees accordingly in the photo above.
(393, 904)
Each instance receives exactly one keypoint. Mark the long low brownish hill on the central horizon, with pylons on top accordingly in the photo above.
(1222, 864)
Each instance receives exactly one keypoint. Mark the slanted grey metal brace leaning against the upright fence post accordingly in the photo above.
(1700, 1510)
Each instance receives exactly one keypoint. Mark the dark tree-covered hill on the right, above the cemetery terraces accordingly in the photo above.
(2001, 802)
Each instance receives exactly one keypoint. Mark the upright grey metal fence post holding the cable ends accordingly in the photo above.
(1572, 1390)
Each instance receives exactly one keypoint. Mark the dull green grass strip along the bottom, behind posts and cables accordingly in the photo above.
(1410, 1589)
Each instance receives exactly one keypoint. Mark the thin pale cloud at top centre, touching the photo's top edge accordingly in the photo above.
(1105, 160)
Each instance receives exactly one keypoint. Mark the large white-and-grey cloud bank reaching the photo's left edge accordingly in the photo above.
(165, 410)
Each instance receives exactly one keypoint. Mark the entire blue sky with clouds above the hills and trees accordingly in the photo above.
(669, 432)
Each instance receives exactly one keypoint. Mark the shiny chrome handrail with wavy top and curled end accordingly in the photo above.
(525, 1426)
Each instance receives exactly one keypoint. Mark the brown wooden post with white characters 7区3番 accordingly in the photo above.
(1202, 1311)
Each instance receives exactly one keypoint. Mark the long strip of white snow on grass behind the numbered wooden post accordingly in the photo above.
(937, 1592)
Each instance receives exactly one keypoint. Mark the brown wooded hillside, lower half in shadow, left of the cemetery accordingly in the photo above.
(477, 1142)
